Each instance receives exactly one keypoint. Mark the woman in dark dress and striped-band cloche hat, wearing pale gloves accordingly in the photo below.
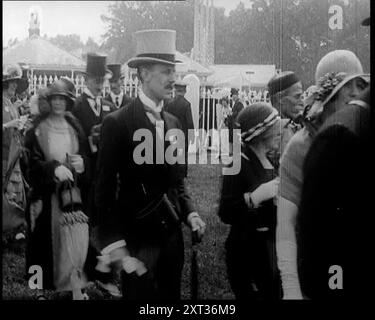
(247, 204)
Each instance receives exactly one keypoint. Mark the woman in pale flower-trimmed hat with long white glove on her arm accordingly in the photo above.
(339, 78)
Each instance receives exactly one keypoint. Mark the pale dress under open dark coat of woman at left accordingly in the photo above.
(69, 240)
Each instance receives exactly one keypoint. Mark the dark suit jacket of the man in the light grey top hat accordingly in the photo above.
(138, 184)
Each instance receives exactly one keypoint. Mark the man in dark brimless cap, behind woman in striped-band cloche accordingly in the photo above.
(285, 90)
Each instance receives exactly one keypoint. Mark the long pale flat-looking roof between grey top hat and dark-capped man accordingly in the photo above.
(238, 75)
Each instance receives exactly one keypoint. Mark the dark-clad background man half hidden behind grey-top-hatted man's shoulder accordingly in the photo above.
(180, 107)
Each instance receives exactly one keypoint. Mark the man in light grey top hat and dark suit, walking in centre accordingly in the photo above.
(140, 228)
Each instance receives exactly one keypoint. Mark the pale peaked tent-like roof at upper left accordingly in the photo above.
(41, 54)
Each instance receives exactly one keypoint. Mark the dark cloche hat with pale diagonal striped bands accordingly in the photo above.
(255, 120)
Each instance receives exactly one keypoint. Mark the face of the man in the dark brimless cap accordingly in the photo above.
(291, 103)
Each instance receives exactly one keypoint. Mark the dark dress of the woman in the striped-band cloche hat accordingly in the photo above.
(251, 254)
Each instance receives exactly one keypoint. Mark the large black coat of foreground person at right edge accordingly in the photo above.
(335, 202)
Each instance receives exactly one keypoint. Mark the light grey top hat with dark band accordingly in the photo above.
(154, 46)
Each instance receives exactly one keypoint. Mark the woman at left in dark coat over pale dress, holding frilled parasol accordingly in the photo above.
(56, 146)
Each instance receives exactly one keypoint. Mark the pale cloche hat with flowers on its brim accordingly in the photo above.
(333, 71)
